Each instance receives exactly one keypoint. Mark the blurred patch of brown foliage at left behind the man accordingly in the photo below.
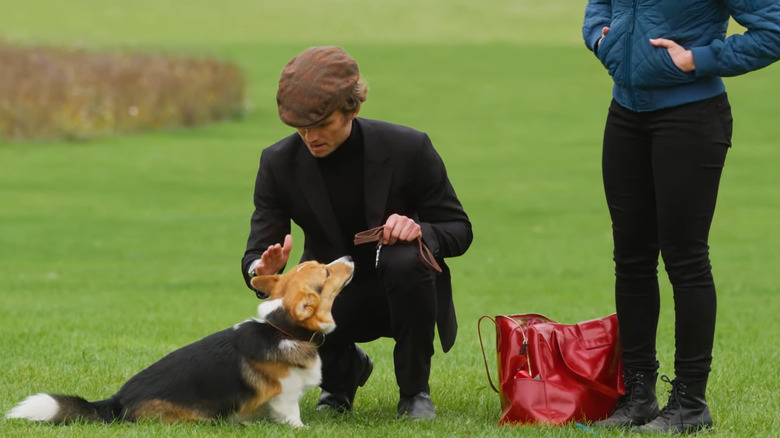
(49, 93)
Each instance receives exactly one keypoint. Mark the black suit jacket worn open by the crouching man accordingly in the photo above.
(403, 174)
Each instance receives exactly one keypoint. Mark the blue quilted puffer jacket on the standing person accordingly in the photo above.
(645, 77)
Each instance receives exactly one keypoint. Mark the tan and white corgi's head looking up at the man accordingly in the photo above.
(307, 291)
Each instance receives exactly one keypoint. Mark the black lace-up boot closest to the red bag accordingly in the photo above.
(638, 405)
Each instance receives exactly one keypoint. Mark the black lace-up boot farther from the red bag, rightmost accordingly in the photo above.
(685, 412)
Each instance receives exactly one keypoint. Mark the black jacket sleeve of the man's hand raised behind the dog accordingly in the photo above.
(269, 223)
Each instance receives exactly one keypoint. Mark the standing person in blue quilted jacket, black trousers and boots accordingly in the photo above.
(665, 142)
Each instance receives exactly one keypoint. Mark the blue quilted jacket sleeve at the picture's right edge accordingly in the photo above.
(758, 47)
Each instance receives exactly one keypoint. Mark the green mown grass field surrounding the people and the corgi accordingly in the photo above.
(116, 251)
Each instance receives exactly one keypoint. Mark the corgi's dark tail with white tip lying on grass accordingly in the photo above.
(55, 408)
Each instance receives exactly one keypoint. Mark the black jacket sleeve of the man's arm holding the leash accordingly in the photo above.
(445, 225)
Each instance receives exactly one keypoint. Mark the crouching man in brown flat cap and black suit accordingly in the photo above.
(338, 176)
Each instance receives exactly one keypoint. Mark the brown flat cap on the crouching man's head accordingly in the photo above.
(314, 84)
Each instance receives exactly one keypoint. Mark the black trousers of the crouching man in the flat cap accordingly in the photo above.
(397, 299)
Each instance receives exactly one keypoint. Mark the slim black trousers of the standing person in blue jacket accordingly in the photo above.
(661, 173)
